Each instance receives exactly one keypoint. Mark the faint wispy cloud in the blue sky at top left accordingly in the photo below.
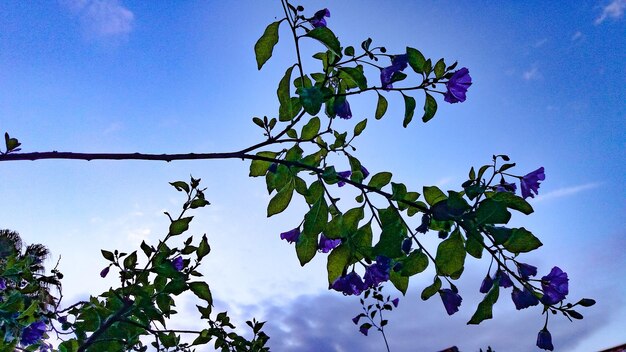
(102, 18)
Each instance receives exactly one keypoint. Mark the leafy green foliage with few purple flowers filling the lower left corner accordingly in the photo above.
(119, 319)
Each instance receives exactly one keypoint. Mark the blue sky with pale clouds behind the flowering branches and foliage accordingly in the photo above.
(129, 76)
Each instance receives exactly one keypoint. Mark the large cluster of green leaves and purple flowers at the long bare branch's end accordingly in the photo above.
(470, 221)
